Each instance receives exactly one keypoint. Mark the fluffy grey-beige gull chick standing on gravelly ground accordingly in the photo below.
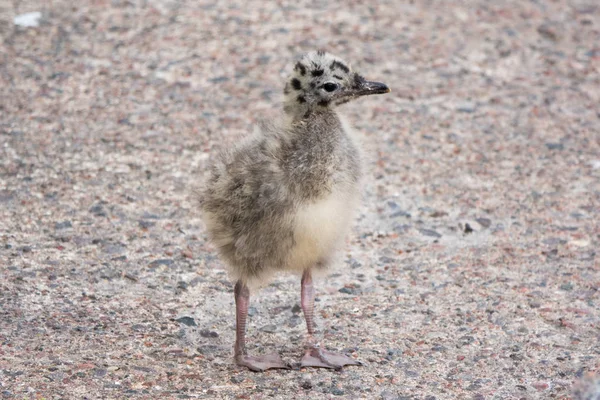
(283, 198)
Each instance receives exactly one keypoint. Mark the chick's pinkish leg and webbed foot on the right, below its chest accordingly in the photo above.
(315, 356)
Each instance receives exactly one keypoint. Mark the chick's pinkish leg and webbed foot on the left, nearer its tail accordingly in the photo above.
(254, 363)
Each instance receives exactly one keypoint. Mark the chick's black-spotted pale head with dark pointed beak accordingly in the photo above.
(321, 80)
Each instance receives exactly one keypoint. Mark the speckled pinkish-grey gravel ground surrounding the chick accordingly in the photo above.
(471, 272)
